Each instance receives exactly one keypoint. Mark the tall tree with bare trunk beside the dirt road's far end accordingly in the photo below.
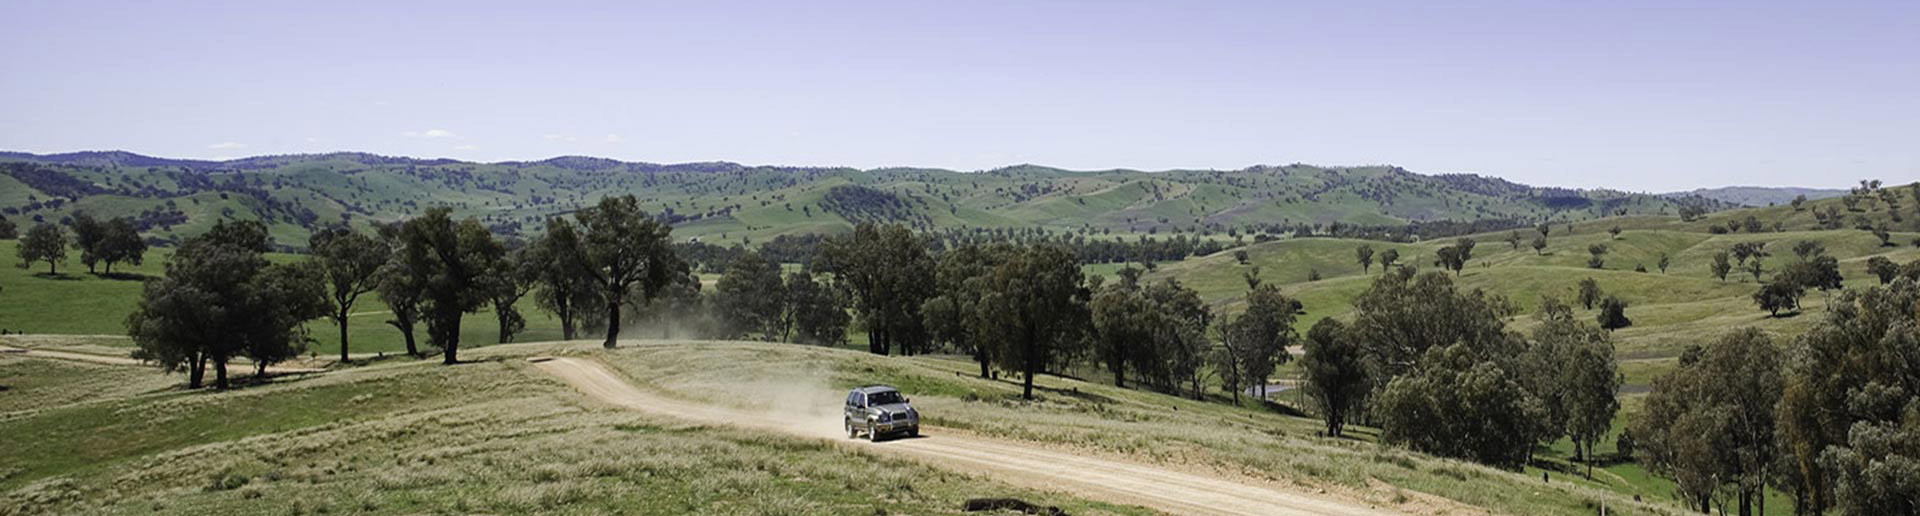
(629, 256)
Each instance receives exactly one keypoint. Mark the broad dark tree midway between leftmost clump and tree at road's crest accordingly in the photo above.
(450, 264)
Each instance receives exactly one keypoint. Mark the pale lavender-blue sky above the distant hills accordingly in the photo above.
(1643, 97)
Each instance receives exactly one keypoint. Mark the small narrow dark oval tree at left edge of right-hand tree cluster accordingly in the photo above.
(1335, 373)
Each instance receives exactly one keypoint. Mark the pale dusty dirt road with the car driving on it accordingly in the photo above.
(1015, 463)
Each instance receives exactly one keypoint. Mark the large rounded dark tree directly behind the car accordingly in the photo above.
(886, 270)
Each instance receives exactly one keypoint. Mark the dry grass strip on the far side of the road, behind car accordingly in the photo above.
(1214, 438)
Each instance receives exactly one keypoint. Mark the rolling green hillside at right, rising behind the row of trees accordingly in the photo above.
(1671, 310)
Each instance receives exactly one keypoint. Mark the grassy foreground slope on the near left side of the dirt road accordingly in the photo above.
(414, 438)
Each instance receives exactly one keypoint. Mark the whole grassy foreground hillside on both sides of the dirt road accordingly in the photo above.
(494, 436)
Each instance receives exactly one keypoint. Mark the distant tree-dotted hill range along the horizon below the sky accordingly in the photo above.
(731, 202)
